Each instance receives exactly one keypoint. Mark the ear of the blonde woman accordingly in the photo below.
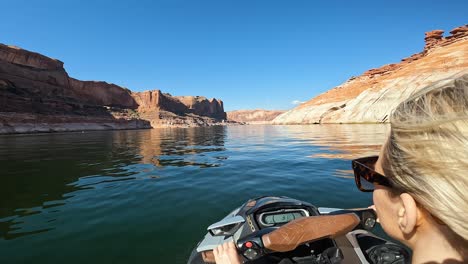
(407, 214)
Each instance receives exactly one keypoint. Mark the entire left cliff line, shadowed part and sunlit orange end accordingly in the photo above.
(37, 95)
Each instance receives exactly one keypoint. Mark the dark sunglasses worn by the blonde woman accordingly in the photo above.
(366, 176)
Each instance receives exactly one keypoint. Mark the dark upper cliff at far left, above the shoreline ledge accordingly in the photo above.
(33, 83)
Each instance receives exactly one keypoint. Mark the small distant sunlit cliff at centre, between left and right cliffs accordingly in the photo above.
(258, 116)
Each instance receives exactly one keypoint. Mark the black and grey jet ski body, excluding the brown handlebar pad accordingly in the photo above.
(264, 214)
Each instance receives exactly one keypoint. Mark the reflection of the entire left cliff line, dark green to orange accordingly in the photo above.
(40, 172)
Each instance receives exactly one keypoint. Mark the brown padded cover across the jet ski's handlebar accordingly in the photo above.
(306, 229)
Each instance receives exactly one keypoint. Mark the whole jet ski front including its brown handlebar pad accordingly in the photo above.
(283, 230)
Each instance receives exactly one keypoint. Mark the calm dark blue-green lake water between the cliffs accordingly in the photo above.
(147, 196)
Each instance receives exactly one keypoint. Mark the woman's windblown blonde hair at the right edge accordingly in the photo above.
(427, 151)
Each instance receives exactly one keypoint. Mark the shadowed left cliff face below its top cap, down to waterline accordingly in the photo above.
(35, 100)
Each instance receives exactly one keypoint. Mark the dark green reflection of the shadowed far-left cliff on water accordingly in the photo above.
(37, 170)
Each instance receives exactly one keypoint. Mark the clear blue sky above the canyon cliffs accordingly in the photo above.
(251, 54)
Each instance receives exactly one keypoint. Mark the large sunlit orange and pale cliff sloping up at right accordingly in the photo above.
(370, 98)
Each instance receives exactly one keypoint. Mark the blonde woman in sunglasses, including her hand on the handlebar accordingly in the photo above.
(420, 179)
